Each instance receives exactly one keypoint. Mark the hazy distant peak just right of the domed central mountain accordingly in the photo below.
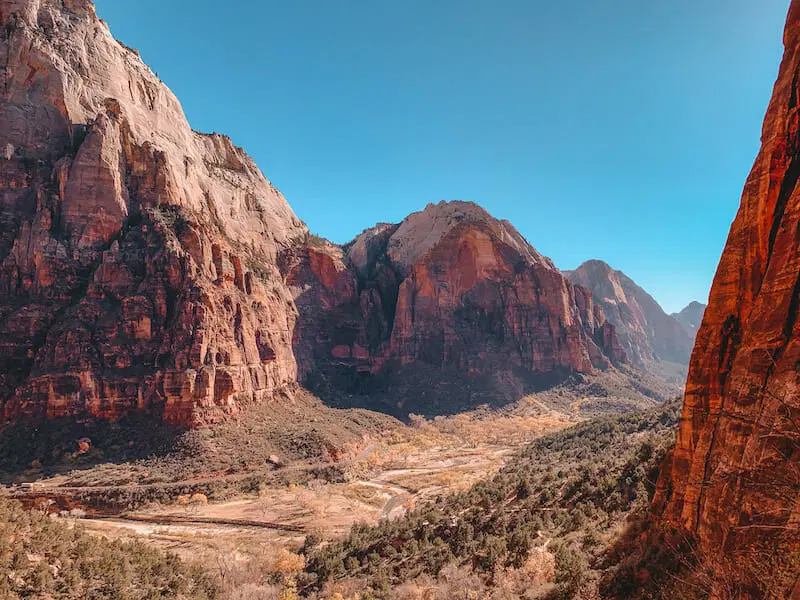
(645, 331)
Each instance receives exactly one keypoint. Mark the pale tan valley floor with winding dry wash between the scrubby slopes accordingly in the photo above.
(239, 536)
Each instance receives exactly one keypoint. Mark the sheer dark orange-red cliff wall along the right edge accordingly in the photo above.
(733, 478)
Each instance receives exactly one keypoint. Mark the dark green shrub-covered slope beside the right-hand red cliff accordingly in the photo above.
(565, 488)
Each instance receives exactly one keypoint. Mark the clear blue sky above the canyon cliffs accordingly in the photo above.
(621, 130)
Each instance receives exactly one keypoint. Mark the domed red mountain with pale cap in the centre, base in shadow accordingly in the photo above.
(450, 289)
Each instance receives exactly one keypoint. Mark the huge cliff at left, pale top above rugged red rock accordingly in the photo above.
(138, 258)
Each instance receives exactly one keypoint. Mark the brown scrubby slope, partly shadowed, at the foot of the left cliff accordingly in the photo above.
(139, 451)
